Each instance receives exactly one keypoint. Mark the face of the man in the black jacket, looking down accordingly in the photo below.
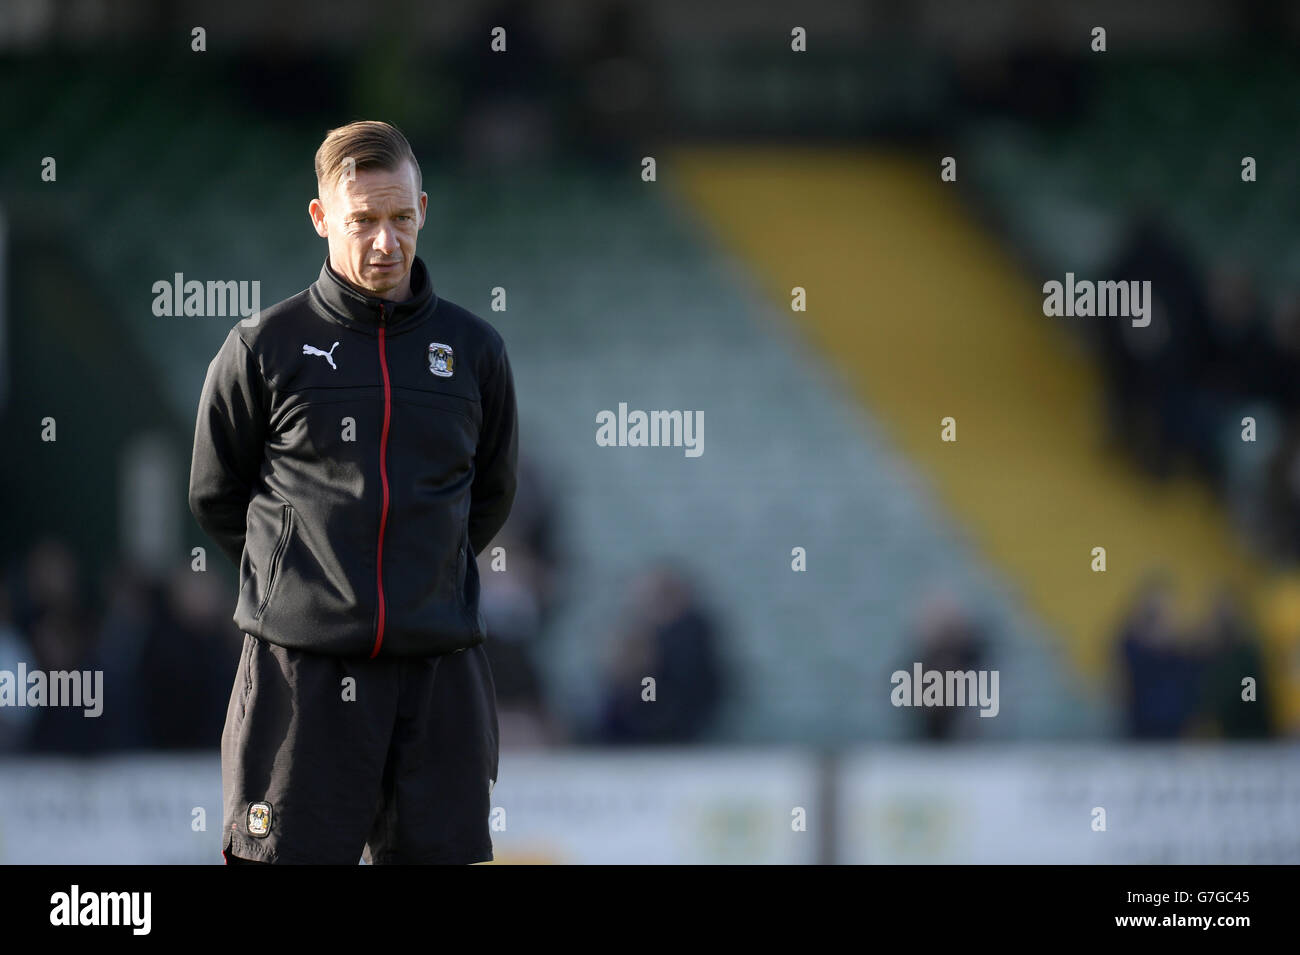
(371, 223)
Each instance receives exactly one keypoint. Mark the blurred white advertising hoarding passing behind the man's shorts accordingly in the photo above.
(591, 806)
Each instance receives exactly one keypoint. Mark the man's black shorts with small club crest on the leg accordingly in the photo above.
(396, 767)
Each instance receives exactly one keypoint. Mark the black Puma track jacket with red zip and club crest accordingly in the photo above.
(348, 455)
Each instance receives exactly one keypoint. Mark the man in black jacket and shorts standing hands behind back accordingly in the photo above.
(356, 450)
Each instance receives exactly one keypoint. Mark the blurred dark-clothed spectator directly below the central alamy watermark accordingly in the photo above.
(666, 635)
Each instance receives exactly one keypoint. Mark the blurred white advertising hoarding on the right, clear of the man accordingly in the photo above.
(1047, 804)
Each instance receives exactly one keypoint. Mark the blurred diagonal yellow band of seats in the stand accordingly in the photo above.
(926, 316)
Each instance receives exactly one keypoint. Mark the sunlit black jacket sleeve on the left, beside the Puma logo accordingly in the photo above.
(229, 441)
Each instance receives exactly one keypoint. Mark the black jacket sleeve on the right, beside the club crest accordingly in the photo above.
(496, 461)
